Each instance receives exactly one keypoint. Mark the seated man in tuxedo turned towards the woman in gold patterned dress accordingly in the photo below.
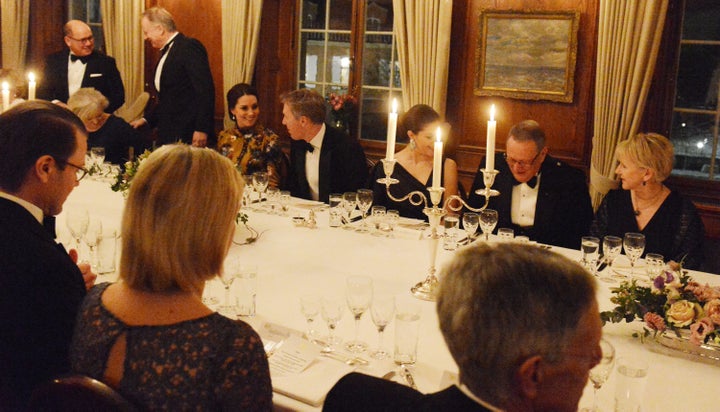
(323, 160)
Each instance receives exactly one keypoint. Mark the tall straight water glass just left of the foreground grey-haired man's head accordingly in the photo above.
(407, 329)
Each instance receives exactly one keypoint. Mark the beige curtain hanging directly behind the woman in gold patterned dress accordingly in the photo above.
(240, 36)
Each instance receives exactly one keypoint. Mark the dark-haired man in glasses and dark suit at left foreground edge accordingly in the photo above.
(41, 287)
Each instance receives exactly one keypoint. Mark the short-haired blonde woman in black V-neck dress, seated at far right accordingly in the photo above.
(670, 223)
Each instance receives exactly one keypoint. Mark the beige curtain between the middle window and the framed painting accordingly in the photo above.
(422, 29)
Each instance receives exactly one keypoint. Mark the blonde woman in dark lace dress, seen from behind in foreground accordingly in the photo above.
(149, 336)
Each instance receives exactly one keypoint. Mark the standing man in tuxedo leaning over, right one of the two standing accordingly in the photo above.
(184, 84)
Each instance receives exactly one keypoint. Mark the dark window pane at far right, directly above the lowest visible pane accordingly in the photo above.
(697, 82)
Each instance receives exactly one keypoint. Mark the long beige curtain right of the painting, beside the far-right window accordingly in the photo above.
(628, 41)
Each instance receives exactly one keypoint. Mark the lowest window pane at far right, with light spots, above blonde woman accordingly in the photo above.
(693, 138)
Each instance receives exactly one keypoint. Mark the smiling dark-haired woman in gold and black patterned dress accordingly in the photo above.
(251, 146)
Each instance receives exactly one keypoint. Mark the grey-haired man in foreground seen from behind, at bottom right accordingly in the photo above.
(517, 346)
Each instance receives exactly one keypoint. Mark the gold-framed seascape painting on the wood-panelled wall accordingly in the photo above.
(527, 54)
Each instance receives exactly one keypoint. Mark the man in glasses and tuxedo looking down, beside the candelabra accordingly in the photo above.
(540, 197)
